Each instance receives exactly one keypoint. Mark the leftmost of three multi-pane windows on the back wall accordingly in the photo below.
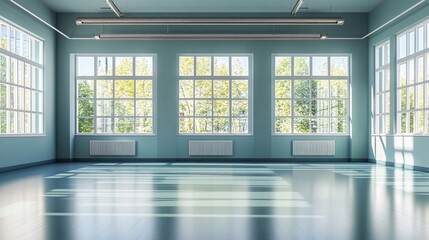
(114, 94)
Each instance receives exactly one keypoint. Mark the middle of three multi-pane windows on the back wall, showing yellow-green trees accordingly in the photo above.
(214, 94)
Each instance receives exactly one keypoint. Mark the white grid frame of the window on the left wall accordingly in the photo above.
(34, 60)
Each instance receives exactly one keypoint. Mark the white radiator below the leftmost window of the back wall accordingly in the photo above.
(112, 148)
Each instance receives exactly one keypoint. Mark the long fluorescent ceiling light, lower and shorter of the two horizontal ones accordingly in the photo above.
(210, 37)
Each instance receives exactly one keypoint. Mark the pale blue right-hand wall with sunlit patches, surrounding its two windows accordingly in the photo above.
(399, 150)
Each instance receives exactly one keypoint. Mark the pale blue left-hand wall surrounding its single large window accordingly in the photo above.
(27, 150)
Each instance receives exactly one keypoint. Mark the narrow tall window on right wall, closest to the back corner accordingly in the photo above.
(382, 88)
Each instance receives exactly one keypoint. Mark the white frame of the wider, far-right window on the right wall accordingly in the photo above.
(416, 112)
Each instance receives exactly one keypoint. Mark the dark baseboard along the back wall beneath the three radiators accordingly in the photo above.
(217, 160)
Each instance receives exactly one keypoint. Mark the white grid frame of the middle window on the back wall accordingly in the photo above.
(212, 77)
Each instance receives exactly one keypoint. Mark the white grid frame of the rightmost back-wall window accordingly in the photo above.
(292, 78)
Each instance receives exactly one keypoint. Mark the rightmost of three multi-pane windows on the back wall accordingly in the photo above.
(311, 94)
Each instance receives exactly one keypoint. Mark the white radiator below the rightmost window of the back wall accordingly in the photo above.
(313, 148)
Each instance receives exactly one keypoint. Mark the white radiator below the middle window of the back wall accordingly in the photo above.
(210, 148)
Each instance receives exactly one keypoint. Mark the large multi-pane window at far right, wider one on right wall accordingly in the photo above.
(413, 80)
